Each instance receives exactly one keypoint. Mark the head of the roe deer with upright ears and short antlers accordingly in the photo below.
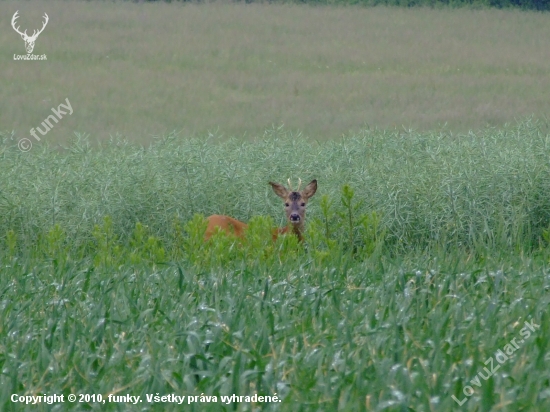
(295, 202)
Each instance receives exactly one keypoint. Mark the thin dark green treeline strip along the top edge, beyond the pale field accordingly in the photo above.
(522, 4)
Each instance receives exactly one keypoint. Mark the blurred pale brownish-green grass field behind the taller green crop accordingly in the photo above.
(142, 70)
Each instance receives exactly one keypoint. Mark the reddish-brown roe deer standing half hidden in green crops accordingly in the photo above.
(295, 208)
